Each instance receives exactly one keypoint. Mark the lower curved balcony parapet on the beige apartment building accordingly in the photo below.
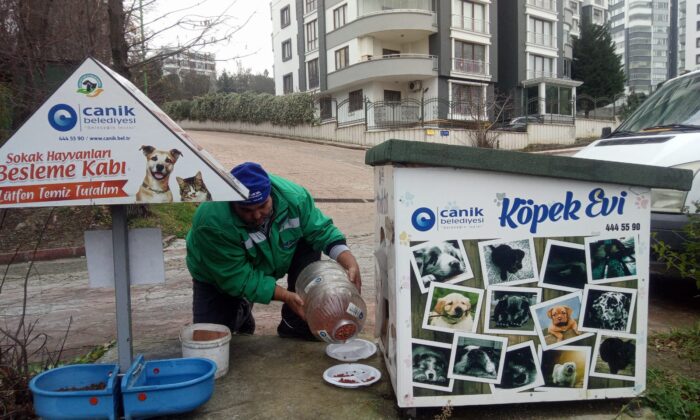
(395, 67)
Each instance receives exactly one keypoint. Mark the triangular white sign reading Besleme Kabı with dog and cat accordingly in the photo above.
(99, 140)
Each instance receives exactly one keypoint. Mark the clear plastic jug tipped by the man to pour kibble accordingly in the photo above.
(333, 307)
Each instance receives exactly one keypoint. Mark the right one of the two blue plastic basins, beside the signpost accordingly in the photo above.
(162, 387)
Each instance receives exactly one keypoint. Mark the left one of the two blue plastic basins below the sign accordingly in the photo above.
(50, 403)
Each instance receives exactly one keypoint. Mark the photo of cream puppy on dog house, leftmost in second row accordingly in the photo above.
(452, 308)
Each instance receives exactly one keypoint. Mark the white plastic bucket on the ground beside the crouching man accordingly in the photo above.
(214, 350)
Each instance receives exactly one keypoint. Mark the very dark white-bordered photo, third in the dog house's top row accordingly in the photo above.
(563, 266)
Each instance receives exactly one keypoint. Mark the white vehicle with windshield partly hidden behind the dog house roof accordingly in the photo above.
(663, 131)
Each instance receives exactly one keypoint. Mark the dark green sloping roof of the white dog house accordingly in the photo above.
(402, 152)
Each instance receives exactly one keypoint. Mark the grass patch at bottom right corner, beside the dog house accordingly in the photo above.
(672, 396)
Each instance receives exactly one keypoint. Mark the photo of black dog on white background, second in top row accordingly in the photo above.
(508, 263)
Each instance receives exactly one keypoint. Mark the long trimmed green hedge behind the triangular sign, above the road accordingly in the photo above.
(256, 108)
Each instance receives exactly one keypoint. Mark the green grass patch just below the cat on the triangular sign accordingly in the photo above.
(172, 219)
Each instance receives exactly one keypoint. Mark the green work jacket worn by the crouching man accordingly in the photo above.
(221, 251)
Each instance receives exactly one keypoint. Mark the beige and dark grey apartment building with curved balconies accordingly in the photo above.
(364, 52)
